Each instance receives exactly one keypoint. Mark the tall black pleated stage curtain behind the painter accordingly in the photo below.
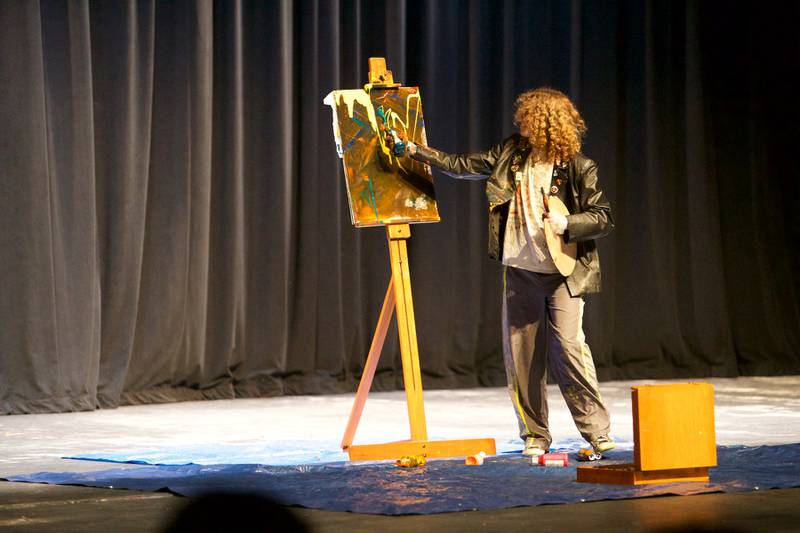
(173, 222)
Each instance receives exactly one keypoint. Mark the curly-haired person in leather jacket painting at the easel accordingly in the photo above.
(542, 310)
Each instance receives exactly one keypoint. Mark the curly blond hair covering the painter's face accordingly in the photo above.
(551, 124)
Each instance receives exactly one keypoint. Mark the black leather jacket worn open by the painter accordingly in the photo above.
(577, 186)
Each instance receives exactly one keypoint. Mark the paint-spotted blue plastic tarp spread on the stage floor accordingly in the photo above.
(441, 486)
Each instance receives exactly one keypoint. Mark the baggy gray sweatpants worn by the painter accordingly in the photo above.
(542, 327)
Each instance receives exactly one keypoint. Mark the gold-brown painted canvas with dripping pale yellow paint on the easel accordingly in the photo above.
(381, 187)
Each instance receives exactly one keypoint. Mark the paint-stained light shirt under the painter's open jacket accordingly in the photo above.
(524, 244)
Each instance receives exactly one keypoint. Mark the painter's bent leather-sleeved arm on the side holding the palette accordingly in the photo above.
(595, 219)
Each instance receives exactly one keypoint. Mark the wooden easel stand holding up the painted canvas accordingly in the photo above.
(398, 295)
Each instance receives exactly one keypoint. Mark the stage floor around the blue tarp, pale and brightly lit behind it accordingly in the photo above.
(748, 411)
